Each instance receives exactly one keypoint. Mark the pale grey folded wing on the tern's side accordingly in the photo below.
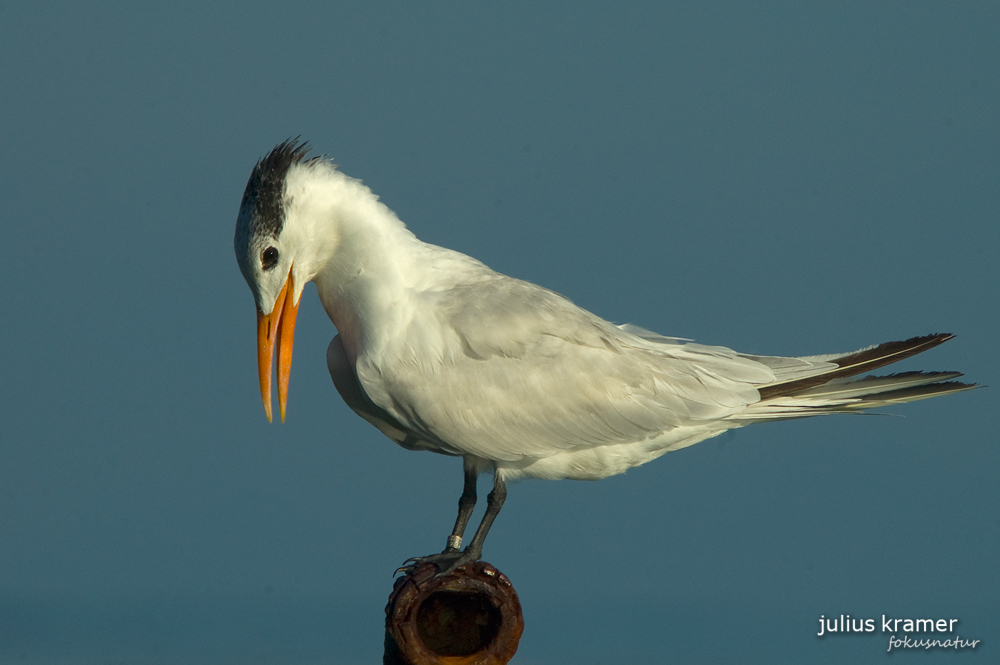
(503, 369)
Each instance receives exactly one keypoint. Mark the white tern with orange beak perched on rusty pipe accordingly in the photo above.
(441, 353)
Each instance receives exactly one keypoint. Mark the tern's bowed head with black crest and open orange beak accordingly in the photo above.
(267, 244)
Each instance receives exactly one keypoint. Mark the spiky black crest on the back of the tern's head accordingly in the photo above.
(262, 198)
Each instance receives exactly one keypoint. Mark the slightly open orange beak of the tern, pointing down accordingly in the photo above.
(278, 327)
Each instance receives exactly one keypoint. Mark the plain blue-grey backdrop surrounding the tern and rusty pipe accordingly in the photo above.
(786, 178)
